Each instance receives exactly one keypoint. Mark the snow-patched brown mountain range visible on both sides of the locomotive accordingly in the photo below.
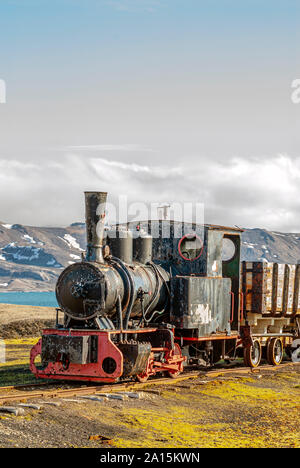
(31, 258)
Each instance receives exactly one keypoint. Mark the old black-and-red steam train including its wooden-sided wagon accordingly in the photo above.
(139, 304)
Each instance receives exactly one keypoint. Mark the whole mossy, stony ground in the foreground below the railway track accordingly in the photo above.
(236, 411)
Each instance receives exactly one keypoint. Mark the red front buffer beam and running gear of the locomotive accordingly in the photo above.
(102, 356)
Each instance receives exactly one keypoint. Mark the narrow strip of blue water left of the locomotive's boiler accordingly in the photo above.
(42, 299)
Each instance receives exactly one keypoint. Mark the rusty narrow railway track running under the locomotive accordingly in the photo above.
(19, 394)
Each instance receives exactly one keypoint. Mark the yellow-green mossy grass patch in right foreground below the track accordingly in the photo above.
(234, 414)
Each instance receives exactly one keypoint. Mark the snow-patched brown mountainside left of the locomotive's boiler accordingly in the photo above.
(31, 258)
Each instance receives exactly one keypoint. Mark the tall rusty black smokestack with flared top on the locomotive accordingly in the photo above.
(95, 204)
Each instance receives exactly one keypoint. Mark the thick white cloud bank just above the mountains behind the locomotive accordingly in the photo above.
(257, 192)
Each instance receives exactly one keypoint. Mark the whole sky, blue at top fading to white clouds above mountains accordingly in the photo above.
(159, 100)
